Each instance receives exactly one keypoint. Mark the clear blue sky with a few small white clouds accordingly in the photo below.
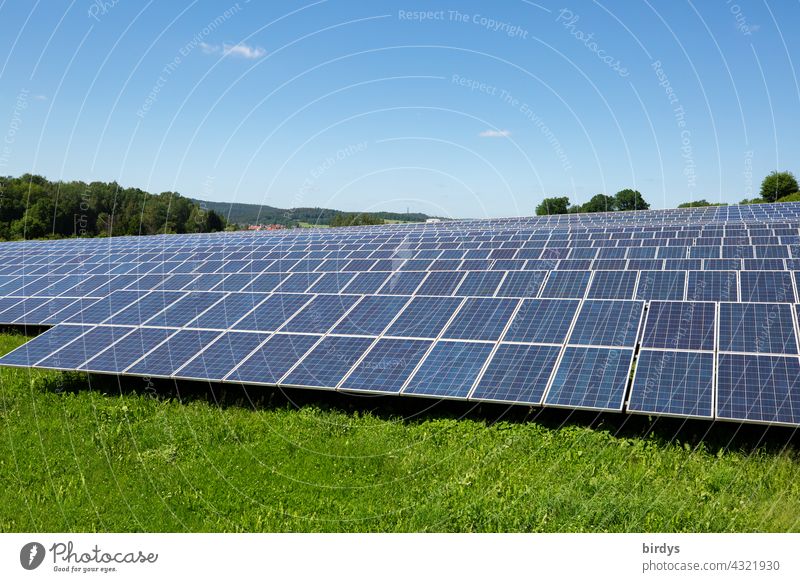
(463, 109)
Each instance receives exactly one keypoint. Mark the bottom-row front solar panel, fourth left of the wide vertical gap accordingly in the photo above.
(387, 366)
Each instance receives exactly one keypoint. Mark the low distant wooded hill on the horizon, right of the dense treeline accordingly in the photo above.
(245, 214)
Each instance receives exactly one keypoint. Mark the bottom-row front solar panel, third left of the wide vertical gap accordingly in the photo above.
(449, 370)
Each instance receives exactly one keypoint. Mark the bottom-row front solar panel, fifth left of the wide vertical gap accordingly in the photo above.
(328, 362)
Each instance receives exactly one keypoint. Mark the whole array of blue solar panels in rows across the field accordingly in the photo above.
(690, 313)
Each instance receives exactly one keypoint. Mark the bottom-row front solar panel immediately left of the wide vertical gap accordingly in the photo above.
(593, 378)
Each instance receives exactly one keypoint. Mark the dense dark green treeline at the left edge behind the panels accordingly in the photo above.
(33, 207)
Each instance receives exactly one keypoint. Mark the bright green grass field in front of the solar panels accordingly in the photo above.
(86, 454)
